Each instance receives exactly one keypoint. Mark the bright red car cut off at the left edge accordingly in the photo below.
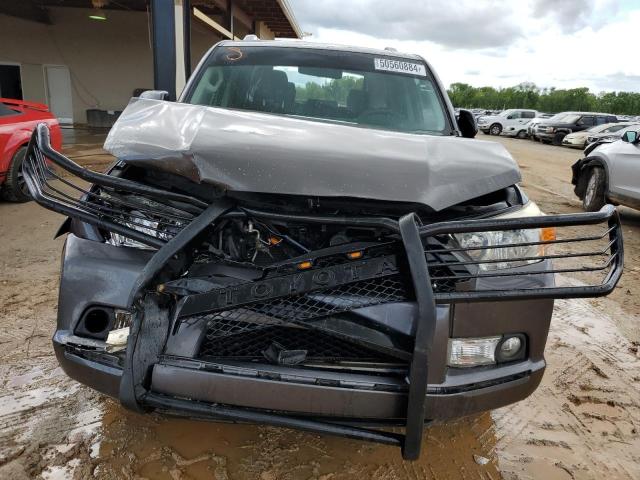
(17, 120)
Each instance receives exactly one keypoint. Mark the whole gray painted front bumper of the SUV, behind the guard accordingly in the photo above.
(451, 392)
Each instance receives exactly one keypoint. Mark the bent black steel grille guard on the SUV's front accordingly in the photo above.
(413, 238)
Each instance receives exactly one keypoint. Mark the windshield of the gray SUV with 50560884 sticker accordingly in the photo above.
(325, 85)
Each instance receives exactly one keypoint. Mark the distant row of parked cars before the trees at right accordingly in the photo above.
(570, 129)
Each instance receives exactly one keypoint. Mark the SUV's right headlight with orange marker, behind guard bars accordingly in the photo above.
(486, 246)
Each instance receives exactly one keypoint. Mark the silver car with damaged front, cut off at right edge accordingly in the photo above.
(610, 173)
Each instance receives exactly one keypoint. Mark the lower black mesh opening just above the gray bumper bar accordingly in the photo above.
(250, 345)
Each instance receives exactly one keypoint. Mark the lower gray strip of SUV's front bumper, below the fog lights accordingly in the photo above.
(463, 391)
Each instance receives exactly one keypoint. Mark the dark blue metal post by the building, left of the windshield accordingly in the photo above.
(164, 46)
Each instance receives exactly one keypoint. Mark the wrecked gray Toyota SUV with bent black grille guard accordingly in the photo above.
(311, 238)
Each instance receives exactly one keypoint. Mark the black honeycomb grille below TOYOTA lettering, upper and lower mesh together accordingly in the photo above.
(245, 332)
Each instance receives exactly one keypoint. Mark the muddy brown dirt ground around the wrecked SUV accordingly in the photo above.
(582, 423)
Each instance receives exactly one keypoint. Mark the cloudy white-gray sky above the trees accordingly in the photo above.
(552, 43)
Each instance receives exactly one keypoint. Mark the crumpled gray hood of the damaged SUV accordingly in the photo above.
(256, 152)
